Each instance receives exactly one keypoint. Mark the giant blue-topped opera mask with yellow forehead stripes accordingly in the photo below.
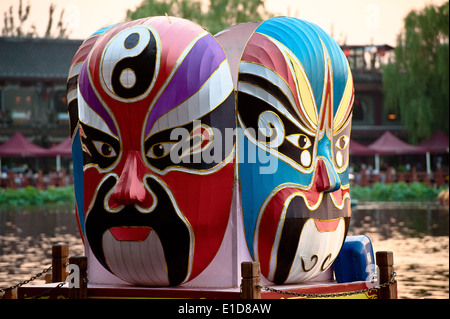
(295, 96)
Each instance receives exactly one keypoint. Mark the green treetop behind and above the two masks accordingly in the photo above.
(213, 15)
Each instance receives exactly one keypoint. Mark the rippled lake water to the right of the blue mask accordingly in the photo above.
(419, 239)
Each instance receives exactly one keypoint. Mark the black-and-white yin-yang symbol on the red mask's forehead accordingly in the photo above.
(130, 63)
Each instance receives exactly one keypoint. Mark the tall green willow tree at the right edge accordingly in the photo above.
(416, 85)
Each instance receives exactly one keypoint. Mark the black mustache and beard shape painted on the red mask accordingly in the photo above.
(171, 229)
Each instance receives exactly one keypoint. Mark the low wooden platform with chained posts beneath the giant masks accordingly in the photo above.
(250, 287)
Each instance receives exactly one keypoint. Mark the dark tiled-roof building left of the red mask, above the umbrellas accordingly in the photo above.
(33, 73)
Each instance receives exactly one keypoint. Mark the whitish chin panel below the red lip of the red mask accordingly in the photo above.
(140, 262)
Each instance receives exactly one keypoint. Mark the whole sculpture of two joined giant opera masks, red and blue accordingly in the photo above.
(152, 103)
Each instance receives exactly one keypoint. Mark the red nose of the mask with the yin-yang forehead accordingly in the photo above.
(130, 188)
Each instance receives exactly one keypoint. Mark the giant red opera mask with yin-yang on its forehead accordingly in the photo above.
(151, 218)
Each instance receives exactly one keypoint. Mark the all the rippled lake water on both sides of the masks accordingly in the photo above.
(417, 235)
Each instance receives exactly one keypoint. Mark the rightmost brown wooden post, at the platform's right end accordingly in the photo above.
(385, 263)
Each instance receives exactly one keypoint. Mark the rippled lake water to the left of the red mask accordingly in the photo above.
(26, 239)
